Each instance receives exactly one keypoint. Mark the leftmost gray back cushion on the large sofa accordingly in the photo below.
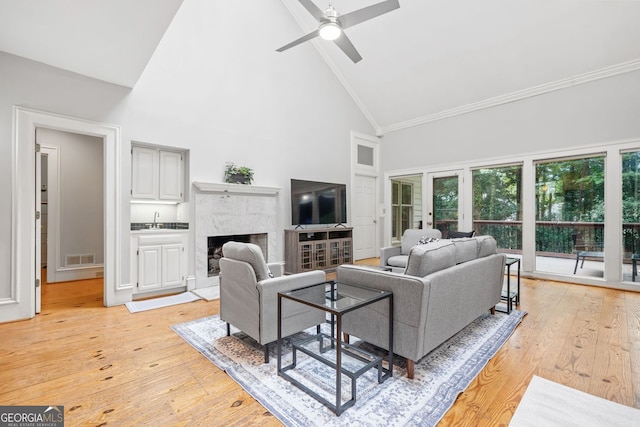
(429, 258)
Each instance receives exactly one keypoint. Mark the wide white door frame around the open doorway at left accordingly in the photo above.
(21, 302)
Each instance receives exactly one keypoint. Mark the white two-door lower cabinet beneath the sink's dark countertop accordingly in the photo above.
(159, 260)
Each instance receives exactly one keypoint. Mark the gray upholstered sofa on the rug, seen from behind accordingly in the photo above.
(447, 284)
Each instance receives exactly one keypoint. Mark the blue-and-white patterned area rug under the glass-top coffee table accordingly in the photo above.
(438, 379)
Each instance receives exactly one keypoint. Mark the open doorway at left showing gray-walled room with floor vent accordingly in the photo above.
(72, 219)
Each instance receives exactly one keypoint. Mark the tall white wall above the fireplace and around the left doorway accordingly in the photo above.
(215, 86)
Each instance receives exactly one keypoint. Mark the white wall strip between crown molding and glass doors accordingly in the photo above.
(597, 112)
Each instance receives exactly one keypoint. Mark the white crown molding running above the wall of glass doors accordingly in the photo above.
(603, 73)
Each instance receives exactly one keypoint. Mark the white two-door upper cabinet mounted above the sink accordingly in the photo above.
(156, 174)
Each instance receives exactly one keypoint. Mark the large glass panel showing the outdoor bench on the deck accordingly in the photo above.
(570, 217)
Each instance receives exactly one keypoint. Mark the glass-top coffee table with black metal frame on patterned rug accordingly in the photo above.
(330, 349)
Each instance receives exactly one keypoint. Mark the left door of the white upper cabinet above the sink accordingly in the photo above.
(144, 173)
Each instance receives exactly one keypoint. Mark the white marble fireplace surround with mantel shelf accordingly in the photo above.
(232, 209)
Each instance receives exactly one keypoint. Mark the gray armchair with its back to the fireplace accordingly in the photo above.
(249, 295)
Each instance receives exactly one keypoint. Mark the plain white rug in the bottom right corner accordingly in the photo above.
(549, 404)
